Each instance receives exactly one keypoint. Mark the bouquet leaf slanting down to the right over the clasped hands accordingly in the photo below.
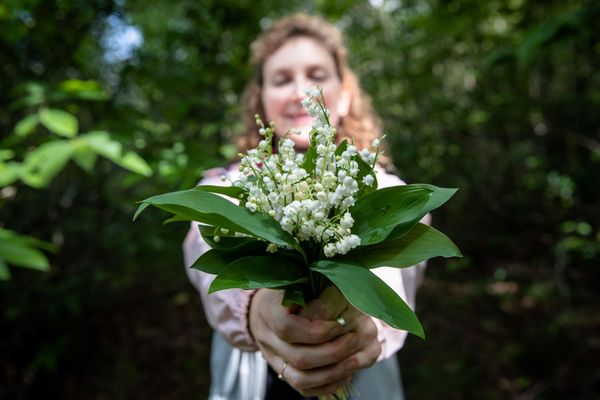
(368, 293)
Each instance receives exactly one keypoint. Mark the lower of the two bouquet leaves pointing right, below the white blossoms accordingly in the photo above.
(421, 243)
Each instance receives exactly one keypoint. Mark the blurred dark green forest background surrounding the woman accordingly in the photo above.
(105, 102)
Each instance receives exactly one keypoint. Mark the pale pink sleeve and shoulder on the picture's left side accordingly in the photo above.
(227, 310)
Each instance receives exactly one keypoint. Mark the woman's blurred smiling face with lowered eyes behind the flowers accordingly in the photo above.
(299, 63)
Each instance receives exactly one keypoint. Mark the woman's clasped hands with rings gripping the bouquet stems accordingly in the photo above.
(313, 352)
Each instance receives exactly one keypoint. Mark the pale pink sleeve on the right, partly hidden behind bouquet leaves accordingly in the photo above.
(404, 281)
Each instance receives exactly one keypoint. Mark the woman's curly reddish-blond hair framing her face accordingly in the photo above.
(361, 123)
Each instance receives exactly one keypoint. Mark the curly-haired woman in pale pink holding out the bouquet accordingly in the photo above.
(308, 351)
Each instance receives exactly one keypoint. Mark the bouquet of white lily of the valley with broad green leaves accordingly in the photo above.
(305, 221)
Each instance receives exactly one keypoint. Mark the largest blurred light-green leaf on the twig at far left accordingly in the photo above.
(44, 163)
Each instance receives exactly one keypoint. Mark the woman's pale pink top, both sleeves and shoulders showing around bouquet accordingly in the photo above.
(227, 310)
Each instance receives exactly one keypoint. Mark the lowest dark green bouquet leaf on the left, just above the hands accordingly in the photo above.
(259, 272)
